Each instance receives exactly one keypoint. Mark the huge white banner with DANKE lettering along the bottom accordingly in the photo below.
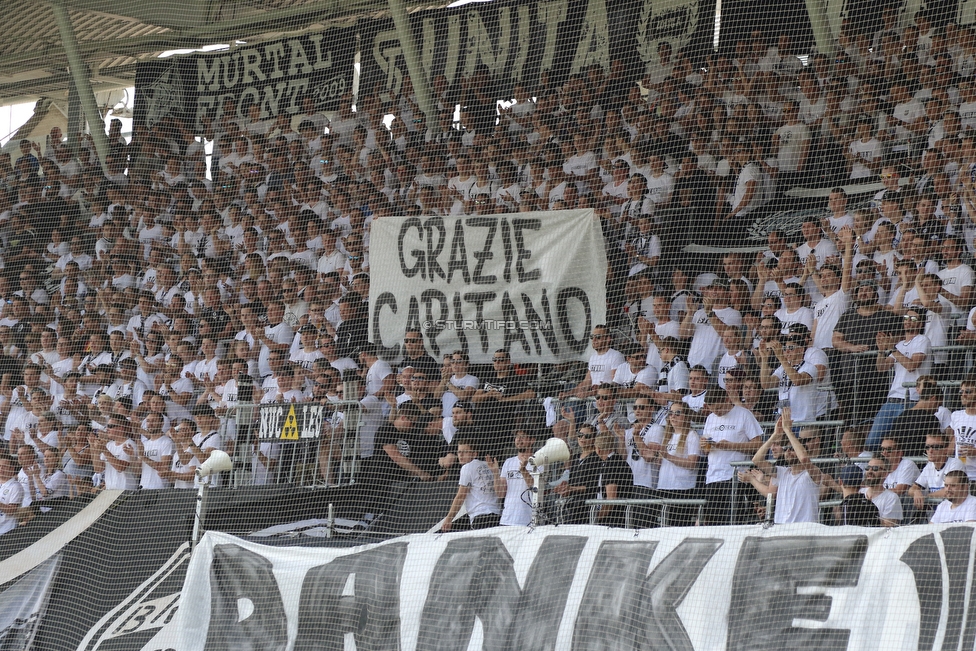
(584, 588)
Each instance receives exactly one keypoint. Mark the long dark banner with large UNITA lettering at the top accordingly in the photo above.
(519, 41)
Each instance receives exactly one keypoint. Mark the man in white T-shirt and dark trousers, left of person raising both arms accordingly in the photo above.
(731, 433)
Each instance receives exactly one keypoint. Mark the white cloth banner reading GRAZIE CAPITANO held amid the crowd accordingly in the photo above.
(530, 283)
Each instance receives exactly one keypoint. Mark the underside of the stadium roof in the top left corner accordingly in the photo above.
(114, 35)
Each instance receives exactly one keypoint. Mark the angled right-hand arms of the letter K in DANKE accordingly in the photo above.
(666, 588)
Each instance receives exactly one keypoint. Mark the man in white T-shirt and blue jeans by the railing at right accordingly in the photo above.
(910, 357)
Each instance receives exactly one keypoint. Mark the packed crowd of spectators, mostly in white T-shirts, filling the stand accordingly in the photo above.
(144, 300)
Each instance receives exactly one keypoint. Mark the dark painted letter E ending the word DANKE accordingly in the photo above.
(765, 595)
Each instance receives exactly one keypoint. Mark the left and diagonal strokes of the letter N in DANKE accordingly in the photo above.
(474, 577)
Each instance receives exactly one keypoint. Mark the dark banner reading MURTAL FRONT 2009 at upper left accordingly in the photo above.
(277, 76)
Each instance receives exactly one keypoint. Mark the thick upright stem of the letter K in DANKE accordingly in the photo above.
(609, 615)
